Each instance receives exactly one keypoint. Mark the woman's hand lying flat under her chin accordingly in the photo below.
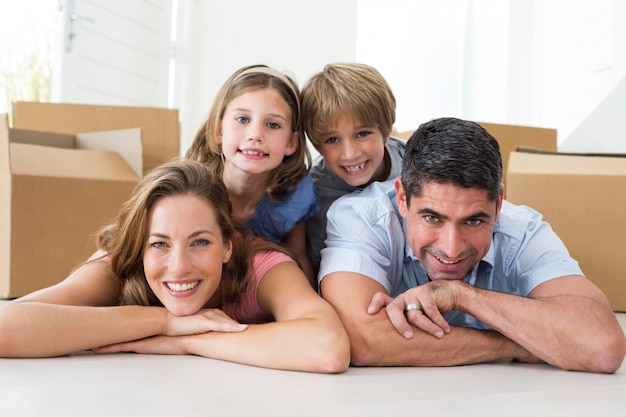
(204, 321)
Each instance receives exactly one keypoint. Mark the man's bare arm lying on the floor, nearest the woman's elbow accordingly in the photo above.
(375, 342)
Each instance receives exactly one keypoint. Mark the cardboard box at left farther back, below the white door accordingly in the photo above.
(160, 127)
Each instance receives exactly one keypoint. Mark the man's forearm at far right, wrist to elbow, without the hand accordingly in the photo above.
(568, 331)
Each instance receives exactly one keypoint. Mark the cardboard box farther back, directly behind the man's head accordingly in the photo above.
(510, 137)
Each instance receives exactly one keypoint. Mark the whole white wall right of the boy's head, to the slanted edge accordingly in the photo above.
(544, 63)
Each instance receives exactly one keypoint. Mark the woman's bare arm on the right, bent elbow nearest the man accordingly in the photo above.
(306, 336)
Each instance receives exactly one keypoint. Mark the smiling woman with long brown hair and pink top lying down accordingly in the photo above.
(174, 277)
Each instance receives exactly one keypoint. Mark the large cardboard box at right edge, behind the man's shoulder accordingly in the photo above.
(583, 198)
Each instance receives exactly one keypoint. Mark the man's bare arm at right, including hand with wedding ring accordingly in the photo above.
(566, 321)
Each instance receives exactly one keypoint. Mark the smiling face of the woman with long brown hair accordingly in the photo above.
(184, 253)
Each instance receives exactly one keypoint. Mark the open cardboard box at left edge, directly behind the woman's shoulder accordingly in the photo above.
(55, 193)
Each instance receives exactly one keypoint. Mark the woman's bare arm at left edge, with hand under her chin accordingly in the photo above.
(81, 313)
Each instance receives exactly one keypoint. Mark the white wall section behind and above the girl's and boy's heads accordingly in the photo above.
(220, 36)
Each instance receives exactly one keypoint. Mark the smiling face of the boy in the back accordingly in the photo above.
(355, 153)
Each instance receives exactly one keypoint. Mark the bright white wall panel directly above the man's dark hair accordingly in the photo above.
(419, 47)
